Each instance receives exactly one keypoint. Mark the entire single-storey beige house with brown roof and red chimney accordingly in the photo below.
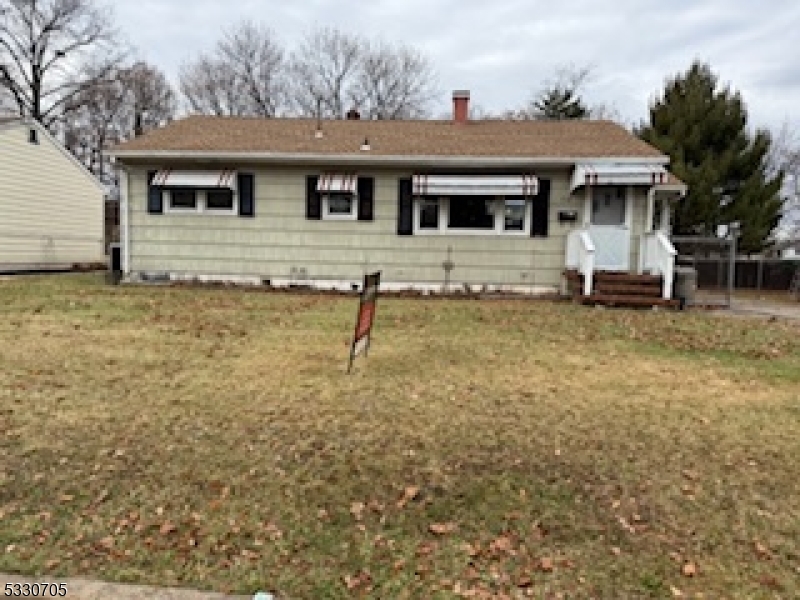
(498, 205)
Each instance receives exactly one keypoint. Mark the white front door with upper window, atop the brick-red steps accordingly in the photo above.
(609, 229)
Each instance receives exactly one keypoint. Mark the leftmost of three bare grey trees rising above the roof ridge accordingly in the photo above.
(245, 75)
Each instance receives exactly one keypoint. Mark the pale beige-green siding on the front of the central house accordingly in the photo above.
(279, 244)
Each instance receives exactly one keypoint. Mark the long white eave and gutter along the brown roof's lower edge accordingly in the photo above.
(379, 160)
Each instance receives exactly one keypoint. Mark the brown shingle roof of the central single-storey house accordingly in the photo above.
(528, 139)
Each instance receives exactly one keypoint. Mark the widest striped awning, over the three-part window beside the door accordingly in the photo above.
(475, 185)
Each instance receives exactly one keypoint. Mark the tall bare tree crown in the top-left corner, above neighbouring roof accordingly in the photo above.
(44, 47)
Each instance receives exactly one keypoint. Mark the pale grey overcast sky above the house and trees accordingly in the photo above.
(503, 51)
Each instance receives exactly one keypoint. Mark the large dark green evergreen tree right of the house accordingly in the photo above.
(703, 128)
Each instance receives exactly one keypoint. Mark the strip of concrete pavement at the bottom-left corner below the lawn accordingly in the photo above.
(80, 589)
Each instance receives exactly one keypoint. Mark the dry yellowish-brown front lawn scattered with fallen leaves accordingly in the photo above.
(488, 449)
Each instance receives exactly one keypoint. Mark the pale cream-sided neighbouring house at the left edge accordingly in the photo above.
(51, 207)
